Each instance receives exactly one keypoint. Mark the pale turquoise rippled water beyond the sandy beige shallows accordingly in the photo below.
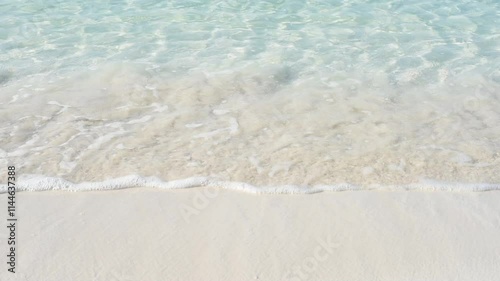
(396, 37)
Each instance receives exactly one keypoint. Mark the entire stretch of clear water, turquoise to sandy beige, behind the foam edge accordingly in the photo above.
(264, 92)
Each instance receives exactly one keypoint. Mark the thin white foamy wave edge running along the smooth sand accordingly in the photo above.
(45, 183)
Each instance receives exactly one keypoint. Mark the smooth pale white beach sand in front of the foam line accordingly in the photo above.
(201, 234)
